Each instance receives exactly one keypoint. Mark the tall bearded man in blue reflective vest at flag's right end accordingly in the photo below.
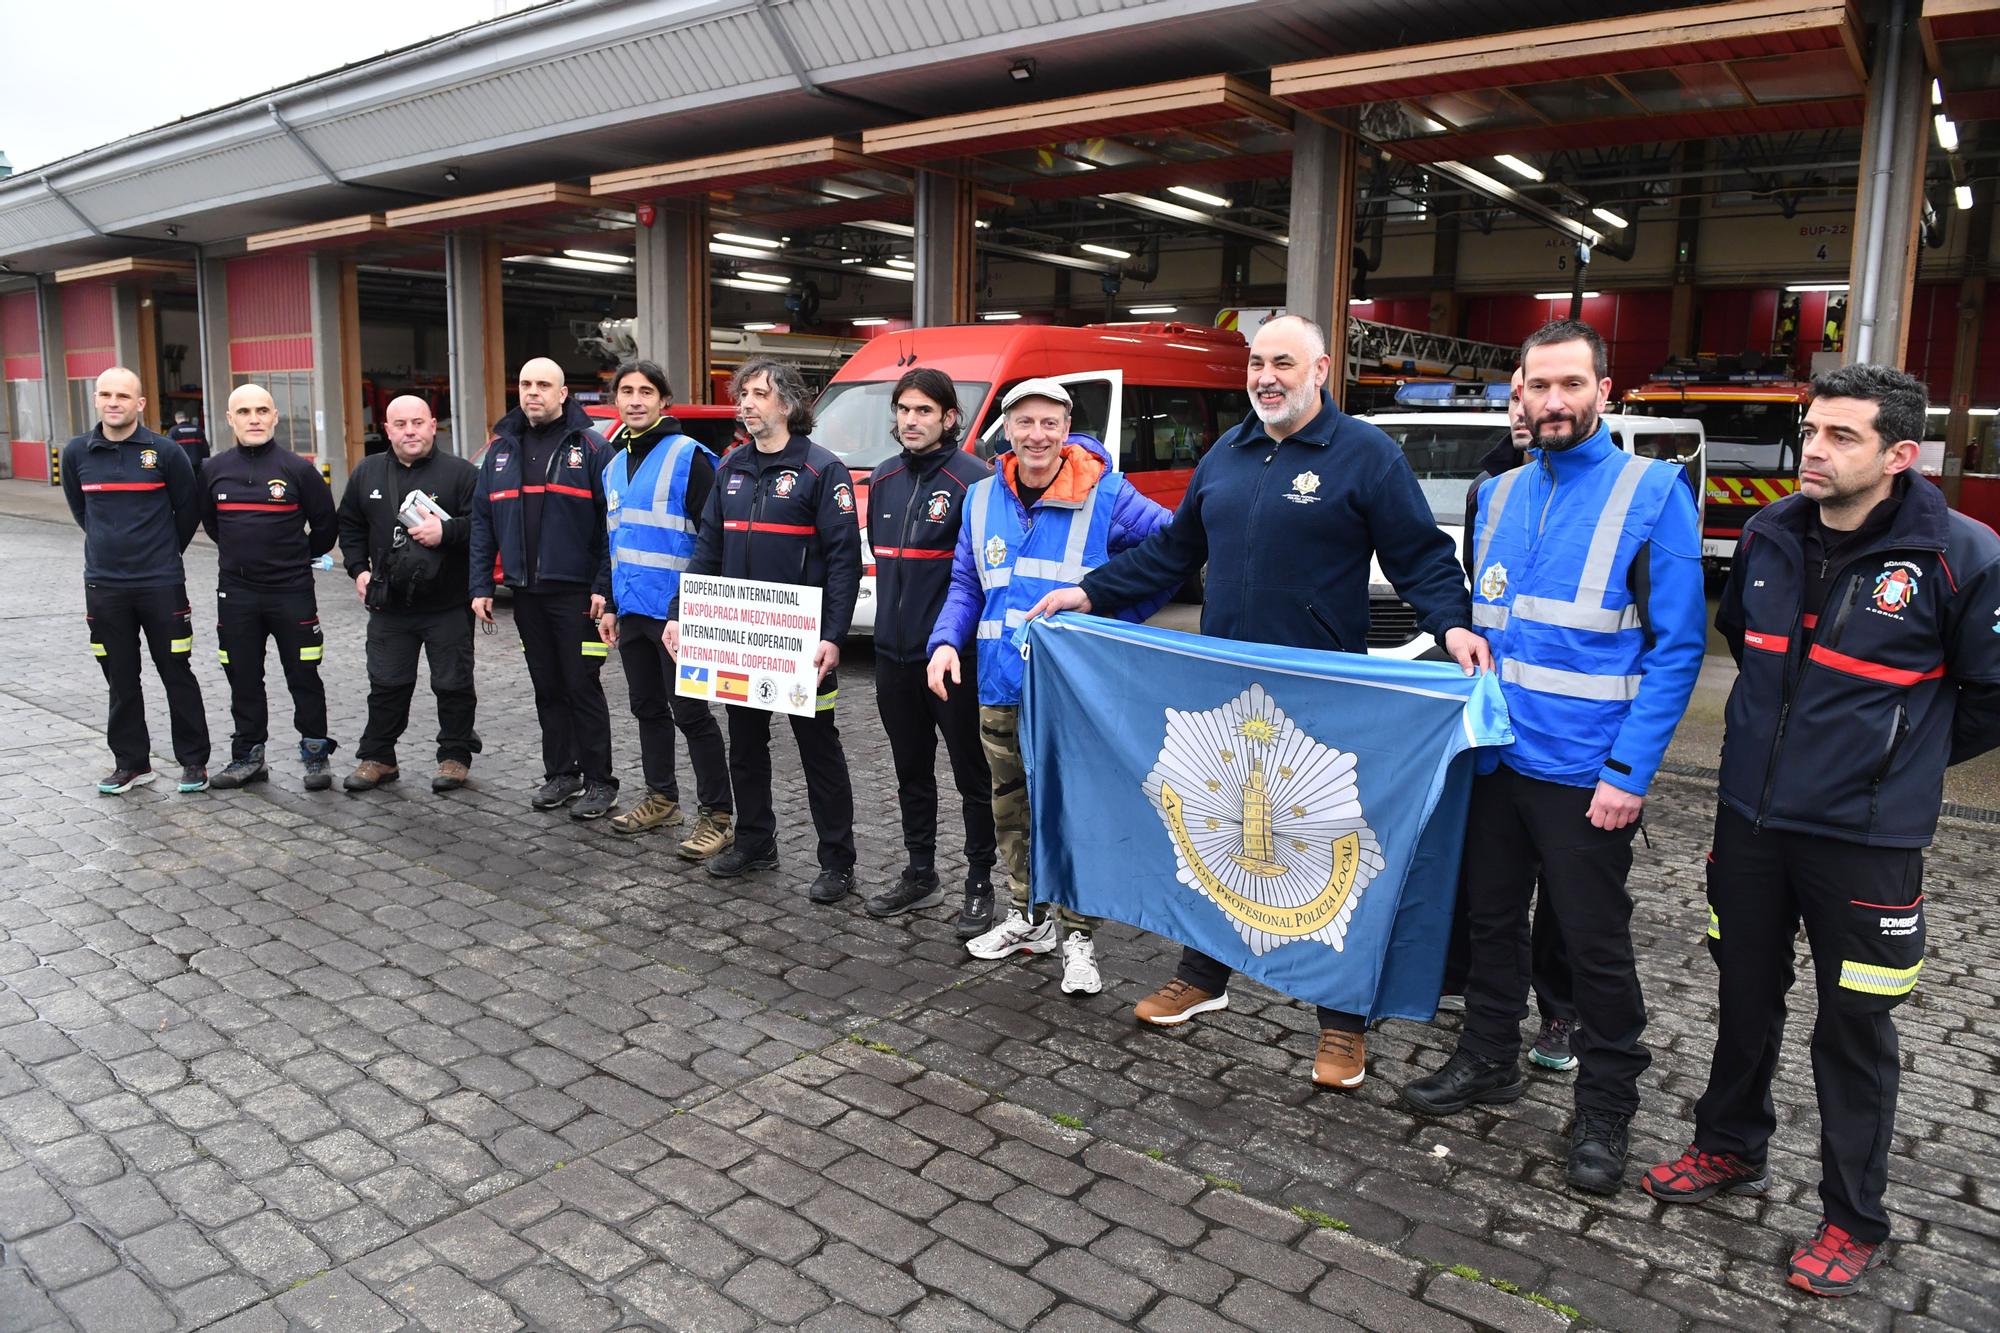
(1587, 579)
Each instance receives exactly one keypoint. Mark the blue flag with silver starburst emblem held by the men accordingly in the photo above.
(1293, 814)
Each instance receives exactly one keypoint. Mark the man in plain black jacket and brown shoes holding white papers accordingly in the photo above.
(411, 577)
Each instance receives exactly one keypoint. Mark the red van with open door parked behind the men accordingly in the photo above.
(1159, 395)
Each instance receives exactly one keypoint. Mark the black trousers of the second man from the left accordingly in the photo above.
(245, 621)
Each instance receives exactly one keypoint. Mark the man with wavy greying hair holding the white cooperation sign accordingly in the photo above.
(783, 513)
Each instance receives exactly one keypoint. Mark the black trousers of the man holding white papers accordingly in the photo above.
(395, 639)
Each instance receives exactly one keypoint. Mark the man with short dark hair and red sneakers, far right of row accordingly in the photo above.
(1865, 619)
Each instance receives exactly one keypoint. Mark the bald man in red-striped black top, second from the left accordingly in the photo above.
(271, 515)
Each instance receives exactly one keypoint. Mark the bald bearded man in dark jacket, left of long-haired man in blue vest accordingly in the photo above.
(539, 529)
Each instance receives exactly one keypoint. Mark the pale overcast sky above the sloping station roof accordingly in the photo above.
(87, 73)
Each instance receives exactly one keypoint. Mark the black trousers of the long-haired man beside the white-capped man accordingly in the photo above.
(915, 720)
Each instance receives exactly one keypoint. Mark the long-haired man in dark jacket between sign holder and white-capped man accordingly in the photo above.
(915, 509)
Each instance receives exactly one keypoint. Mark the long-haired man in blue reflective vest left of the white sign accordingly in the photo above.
(655, 491)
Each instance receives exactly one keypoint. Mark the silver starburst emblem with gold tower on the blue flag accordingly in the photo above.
(1267, 822)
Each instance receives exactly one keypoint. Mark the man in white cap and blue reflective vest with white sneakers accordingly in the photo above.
(1051, 515)
